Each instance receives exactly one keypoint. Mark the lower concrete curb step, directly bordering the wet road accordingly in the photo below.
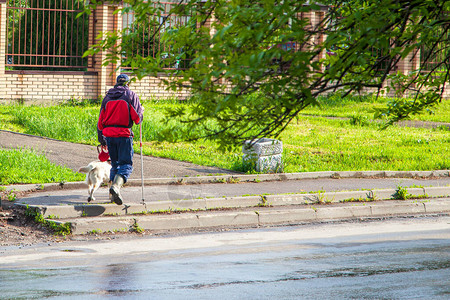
(256, 218)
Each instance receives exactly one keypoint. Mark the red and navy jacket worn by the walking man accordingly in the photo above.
(120, 108)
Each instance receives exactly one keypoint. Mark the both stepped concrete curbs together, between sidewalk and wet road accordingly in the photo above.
(267, 210)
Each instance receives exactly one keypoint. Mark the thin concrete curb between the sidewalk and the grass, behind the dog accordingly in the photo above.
(241, 178)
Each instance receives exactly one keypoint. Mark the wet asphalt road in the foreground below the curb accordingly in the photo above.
(406, 258)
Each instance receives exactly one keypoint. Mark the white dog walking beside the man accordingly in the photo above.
(96, 173)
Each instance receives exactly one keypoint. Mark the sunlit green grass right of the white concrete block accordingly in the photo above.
(318, 144)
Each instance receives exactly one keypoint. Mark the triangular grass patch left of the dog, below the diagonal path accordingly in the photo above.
(27, 166)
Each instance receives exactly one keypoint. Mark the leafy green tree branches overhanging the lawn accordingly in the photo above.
(248, 84)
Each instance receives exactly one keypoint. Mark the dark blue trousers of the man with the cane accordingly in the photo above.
(121, 154)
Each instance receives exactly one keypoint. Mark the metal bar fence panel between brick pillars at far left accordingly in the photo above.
(46, 34)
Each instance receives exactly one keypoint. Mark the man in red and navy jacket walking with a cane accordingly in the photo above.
(120, 109)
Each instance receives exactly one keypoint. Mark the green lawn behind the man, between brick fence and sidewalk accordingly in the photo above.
(311, 143)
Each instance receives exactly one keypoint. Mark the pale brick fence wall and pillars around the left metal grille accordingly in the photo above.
(42, 86)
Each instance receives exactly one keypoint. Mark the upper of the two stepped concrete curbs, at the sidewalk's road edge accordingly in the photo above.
(109, 209)
